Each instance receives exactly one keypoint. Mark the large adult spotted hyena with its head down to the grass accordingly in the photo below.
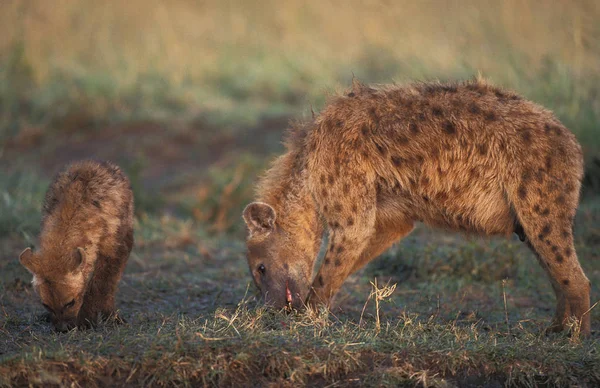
(467, 156)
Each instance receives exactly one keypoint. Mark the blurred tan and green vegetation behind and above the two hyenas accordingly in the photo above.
(192, 97)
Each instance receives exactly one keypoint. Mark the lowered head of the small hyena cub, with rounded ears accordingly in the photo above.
(60, 284)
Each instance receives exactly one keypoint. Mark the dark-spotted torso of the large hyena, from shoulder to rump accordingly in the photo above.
(465, 156)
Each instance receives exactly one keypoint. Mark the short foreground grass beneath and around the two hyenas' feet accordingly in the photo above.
(465, 311)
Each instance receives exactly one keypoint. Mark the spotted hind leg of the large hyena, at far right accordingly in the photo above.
(548, 225)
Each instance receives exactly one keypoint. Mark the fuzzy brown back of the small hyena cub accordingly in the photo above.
(90, 203)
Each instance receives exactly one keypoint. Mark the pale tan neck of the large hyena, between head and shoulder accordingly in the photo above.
(284, 188)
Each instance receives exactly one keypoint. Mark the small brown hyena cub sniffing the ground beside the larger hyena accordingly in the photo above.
(85, 241)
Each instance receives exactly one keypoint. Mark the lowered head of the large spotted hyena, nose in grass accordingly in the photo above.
(281, 262)
